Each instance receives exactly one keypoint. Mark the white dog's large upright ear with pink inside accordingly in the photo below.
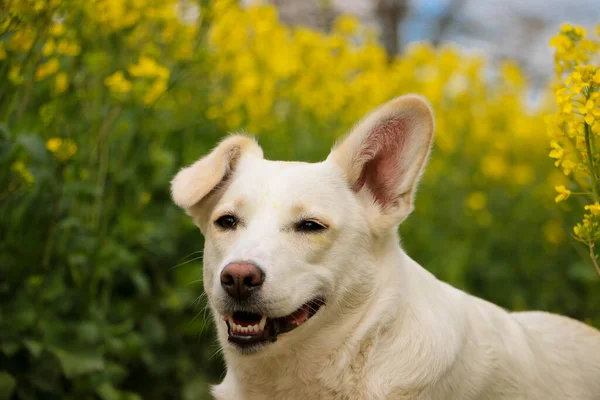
(386, 152)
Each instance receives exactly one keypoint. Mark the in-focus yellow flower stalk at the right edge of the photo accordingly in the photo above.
(575, 126)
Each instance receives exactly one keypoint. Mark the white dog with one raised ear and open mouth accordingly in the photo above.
(313, 298)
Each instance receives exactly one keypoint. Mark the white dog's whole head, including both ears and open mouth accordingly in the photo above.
(290, 247)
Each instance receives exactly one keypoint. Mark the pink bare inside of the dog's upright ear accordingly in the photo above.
(383, 170)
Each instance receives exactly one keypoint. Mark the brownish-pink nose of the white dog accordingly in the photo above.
(240, 279)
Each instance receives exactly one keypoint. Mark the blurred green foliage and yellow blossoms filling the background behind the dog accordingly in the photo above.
(100, 275)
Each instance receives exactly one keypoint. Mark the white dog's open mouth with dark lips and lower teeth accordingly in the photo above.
(247, 329)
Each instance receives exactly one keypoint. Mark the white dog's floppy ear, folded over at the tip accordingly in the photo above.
(193, 183)
